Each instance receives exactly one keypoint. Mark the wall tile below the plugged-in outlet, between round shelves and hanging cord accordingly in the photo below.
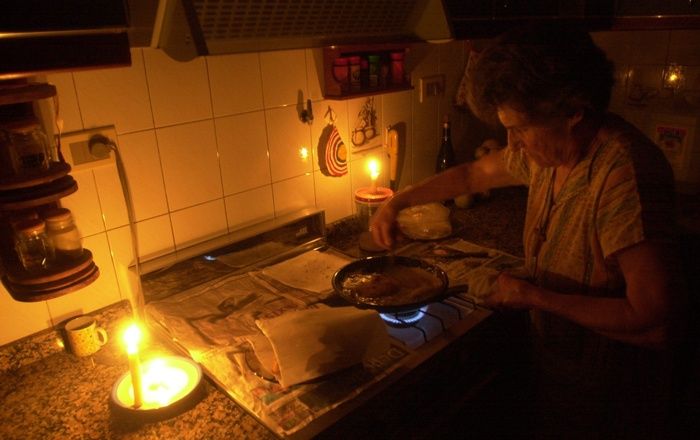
(85, 204)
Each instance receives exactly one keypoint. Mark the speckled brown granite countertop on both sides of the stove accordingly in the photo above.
(48, 393)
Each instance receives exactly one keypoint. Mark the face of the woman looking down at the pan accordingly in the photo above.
(545, 143)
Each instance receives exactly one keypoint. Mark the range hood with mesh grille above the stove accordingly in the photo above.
(187, 28)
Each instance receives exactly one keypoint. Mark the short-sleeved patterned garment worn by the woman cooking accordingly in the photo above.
(619, 194)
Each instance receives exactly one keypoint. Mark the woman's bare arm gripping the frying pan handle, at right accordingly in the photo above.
(655, 289)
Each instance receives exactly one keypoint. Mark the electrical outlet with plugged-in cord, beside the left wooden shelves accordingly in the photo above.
(76, 150)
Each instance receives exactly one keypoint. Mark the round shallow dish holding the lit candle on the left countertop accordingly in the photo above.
(170, 385)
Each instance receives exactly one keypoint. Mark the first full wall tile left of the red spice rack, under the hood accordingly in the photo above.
(284, 77)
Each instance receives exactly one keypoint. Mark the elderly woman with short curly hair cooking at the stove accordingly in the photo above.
(599, 233)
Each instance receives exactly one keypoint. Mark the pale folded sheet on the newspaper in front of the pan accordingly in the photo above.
(307, 344)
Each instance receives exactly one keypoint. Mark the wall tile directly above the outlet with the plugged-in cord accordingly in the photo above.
(115, 96)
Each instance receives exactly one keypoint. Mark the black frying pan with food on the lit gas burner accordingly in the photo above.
(409, 295)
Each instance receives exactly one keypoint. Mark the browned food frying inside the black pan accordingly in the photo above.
(394, 285)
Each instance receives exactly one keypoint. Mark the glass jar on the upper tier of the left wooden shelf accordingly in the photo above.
(31, 151)
